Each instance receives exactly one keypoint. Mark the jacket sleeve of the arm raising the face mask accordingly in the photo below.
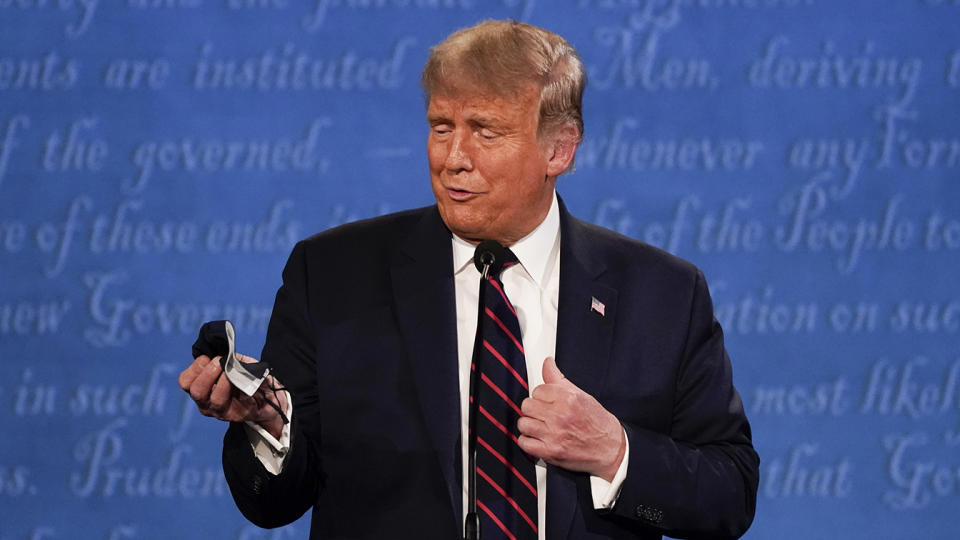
(265, 499)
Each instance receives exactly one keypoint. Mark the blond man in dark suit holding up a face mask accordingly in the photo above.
(635, 426)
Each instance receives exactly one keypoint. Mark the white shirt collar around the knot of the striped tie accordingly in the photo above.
(535, 251)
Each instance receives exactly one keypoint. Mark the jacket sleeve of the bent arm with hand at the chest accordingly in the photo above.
(698, 479)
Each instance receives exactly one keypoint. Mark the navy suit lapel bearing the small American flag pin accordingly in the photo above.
(582, 355)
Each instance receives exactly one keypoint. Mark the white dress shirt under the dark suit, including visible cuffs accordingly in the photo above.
(533, 287)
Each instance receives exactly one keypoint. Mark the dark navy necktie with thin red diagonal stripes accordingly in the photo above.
(506, 478)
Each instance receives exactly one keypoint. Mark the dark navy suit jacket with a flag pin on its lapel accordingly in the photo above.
(363, 333)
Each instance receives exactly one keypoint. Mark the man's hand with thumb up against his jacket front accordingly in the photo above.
(567, 427)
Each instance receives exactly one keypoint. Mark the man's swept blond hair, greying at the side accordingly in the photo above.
(501, 58)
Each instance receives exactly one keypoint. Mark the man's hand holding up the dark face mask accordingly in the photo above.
(216, 397)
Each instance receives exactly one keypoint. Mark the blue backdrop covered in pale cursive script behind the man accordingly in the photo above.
(159, 158)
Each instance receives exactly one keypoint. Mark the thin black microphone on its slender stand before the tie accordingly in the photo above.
(489, 258)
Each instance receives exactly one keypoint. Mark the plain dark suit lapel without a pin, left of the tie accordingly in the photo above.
(422, 274)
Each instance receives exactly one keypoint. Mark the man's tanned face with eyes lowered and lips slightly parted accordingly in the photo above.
(488, 170)
